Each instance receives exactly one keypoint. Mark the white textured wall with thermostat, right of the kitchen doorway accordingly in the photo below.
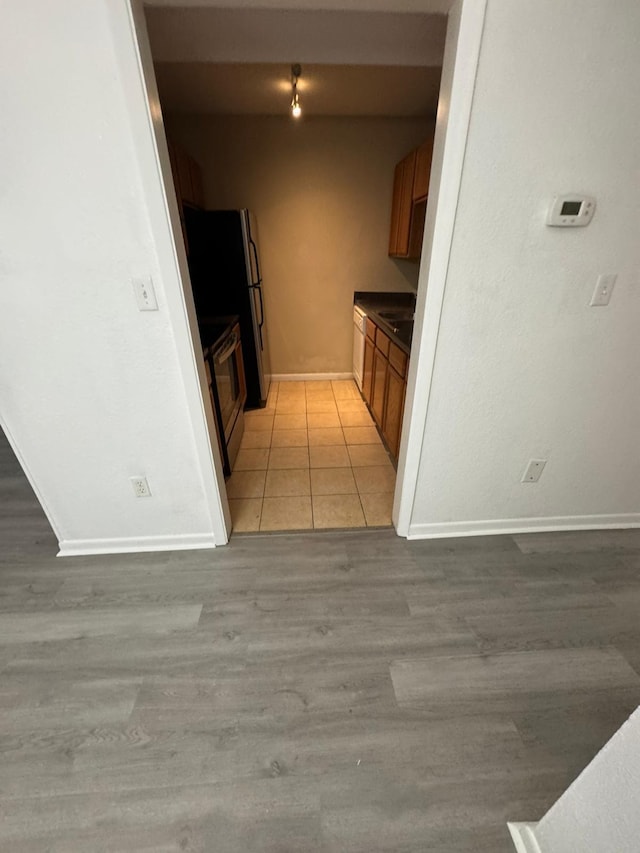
(524, 367)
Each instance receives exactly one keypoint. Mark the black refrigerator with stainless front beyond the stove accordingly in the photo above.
(224, 265)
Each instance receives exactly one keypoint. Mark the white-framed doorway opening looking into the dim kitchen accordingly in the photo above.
(317, 449)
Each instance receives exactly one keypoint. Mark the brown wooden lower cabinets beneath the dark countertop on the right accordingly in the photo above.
(384, 384)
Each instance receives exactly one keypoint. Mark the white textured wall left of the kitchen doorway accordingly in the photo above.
(93, 391)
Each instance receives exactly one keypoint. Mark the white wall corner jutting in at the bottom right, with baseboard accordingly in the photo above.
(599, 813)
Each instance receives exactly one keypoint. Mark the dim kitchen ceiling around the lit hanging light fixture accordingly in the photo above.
(222, 61)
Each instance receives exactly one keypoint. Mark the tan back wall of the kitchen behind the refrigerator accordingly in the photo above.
(321, 191)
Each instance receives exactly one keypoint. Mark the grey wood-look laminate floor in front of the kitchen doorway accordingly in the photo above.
(329, 692)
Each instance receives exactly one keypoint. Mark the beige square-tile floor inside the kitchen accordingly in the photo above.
(311, 459)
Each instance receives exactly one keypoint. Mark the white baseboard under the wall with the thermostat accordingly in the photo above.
(522, 525)
